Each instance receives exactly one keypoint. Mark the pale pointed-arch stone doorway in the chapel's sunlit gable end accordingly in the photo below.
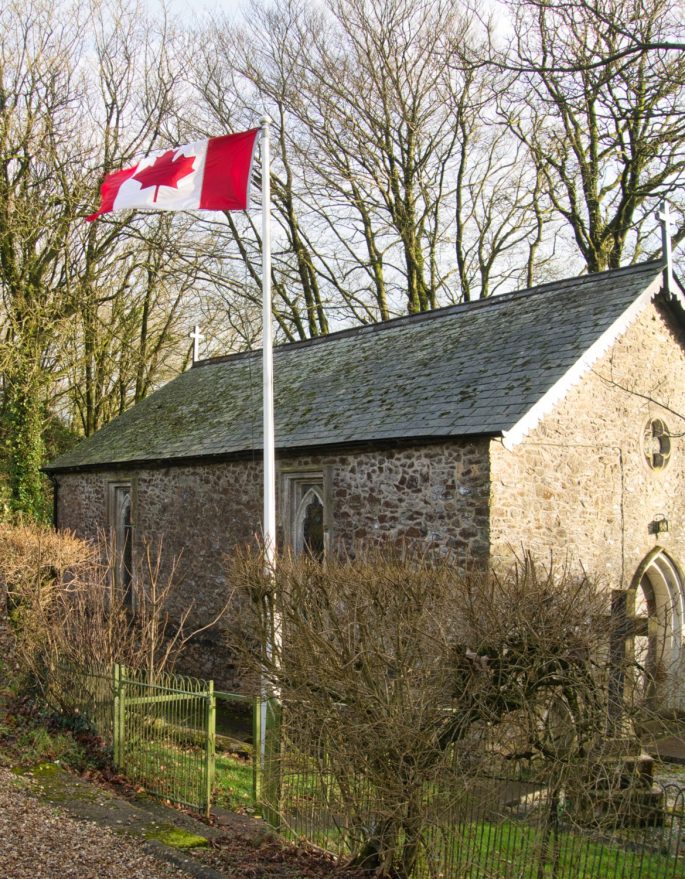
(659, 611)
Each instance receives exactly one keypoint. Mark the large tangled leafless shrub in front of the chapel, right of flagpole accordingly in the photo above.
(397, 674)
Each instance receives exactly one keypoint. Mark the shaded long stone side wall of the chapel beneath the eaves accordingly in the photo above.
(433, 494)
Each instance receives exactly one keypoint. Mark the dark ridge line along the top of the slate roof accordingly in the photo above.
(462, 307)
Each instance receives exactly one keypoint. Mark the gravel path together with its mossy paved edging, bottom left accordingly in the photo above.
(55, 824)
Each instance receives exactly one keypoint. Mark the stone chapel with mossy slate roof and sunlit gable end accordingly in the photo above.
(550, 419)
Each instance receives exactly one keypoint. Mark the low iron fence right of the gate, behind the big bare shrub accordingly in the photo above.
(494, 826)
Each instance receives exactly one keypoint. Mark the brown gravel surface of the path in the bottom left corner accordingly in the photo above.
(36, 842)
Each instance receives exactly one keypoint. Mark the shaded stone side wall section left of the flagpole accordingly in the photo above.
(194, 516)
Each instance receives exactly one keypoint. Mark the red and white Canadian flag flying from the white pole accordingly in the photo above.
(208, 175)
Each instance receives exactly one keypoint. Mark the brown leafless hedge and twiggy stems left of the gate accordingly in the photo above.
(67, 616)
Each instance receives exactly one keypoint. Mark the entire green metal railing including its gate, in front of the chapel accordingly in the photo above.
(162, 733)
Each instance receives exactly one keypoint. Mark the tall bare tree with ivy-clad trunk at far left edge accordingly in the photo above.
(40, 91)
